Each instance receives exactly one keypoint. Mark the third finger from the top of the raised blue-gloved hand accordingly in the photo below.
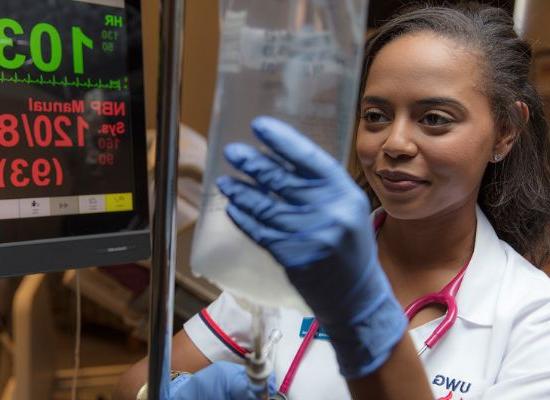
(265, 208)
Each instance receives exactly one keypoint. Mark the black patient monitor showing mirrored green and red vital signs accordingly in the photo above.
(73, 184)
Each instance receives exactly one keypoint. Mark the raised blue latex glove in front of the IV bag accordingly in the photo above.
(308, 213)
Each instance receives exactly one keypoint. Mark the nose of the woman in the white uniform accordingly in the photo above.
(400, 140)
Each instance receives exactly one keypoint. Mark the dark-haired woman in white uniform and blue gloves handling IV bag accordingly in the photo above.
(452, 148)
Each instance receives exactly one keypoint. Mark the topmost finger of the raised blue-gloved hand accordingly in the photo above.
(308, 158)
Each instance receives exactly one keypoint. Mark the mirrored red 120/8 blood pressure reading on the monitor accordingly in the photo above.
(42, 132)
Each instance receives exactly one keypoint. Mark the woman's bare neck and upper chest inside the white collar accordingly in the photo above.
(422, 256)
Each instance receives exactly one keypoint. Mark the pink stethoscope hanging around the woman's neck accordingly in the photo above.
(445, 297)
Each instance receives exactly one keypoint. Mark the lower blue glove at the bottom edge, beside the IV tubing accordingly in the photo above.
(220, 381)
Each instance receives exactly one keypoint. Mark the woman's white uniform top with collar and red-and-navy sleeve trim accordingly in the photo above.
(498, 348)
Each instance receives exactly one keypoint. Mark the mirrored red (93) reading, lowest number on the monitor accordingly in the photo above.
(20, 173)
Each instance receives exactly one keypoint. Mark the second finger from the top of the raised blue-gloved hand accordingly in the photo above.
(273, 176)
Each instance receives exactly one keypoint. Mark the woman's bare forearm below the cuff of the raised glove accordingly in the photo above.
(401, 377)
